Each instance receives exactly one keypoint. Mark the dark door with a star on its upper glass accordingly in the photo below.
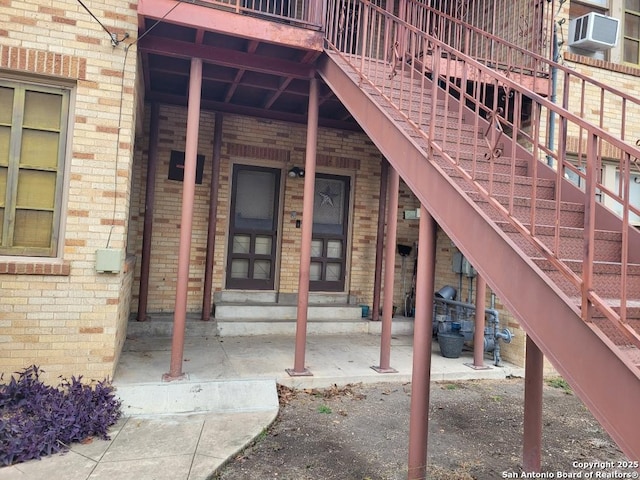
(329, 237)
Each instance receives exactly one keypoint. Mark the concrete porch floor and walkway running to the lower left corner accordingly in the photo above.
(191, 446)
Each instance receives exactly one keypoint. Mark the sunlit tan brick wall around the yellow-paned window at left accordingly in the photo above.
(58, 313)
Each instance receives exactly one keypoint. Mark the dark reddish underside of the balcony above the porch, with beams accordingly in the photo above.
(250, 76)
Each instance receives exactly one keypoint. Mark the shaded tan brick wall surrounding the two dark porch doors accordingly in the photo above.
(275, 144)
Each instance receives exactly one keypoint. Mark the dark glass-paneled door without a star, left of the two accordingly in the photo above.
(253, 227)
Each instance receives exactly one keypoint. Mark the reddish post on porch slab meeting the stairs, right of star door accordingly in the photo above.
(389, 270)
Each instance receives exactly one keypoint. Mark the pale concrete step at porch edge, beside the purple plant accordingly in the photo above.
(184, 396)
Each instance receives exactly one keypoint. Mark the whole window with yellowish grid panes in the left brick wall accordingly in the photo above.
(33, 123)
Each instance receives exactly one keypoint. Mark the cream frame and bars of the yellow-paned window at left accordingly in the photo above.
(20, 89)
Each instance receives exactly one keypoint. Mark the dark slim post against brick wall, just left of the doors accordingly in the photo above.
(213, 217)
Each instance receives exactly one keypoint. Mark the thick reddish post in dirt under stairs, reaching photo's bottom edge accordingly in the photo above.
(422, 338)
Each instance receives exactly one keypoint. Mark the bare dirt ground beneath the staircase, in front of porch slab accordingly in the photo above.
(360, 432)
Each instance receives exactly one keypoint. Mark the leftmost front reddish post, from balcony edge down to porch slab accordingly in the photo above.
(186, 220)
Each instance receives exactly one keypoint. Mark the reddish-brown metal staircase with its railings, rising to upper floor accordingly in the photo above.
(467, 121)
